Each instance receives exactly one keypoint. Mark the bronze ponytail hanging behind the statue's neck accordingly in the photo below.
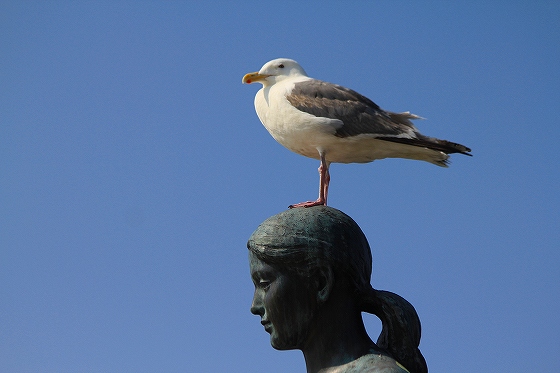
(400, 333)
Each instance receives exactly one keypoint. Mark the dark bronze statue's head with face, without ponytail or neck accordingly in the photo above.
(295, 257)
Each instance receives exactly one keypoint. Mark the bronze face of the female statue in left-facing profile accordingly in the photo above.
(285, 302)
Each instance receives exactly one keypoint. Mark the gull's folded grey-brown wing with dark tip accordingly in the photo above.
(359, 115)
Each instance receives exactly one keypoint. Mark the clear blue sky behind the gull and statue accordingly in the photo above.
(133, 168)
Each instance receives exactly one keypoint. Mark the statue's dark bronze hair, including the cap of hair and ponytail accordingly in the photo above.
(304, 239)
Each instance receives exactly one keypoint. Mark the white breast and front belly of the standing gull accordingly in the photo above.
(298, 131)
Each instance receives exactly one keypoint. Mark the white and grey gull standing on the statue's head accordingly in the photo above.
(335, 124)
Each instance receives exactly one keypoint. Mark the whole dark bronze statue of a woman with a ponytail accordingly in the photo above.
(311, 268)
